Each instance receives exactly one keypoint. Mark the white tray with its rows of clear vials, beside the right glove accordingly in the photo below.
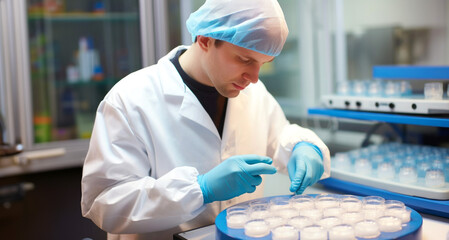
(414, 174)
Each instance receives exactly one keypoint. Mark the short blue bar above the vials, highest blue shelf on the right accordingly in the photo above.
(411, 72)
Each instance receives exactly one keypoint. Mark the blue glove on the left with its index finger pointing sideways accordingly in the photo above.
(235, 176)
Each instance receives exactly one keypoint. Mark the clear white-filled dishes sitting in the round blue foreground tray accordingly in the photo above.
(325, 216)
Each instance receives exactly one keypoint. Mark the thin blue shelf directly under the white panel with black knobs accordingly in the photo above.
(383, 117)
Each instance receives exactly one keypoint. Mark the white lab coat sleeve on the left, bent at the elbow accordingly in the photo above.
(117, 192)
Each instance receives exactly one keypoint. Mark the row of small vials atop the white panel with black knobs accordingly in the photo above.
(379, 88)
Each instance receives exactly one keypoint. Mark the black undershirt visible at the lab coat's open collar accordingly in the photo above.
(214, 104)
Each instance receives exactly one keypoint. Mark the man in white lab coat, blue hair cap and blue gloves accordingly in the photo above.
(175, 143)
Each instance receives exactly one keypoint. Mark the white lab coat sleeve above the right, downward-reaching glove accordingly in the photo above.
(284, 136)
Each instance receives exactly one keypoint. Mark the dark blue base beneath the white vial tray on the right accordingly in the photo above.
(424, 205)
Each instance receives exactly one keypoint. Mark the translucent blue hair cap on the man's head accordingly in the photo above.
(257, 25)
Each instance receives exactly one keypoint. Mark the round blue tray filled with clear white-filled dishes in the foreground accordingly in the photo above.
(390, 223)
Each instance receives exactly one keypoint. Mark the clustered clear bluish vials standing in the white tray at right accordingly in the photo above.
(405, 163)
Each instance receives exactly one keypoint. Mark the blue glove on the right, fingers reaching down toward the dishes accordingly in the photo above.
(305, 166)
